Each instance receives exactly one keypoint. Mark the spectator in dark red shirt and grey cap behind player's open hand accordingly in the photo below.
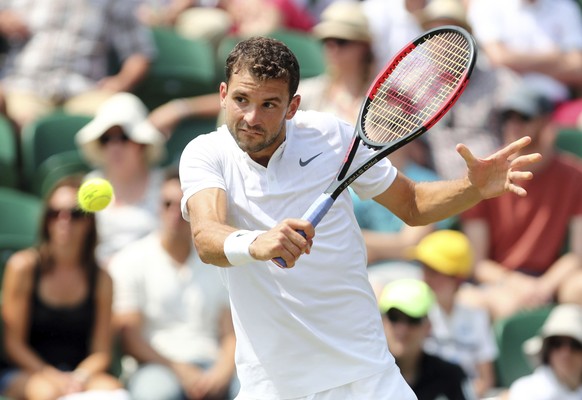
(520, 259)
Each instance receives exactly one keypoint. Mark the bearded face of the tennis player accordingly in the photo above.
(256, 112)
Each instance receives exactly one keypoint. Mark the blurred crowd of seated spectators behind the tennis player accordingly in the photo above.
(129, 278)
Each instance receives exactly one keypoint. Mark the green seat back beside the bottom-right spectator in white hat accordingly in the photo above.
(510, 334)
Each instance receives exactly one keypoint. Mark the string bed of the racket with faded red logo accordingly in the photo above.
(418, 87)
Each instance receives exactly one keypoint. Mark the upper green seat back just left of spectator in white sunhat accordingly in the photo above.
(49, 135)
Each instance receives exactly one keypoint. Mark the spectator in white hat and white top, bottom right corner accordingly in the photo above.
(558, 353)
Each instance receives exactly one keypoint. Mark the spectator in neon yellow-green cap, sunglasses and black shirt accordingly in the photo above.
(405, 304)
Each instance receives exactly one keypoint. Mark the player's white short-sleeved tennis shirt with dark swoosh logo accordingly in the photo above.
(315, 326)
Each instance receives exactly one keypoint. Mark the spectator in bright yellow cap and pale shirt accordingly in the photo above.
(460, 334)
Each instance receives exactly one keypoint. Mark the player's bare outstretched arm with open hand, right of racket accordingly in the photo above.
(426, 202)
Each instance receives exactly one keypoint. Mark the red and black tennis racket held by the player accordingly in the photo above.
(415, 89)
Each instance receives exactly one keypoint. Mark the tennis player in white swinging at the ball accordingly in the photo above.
(312, 331)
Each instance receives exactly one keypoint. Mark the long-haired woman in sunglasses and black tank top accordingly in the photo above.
(56, 308)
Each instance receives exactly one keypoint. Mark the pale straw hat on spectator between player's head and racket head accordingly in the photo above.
(343, 20)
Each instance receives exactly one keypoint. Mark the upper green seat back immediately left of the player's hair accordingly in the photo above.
(182, 68)
